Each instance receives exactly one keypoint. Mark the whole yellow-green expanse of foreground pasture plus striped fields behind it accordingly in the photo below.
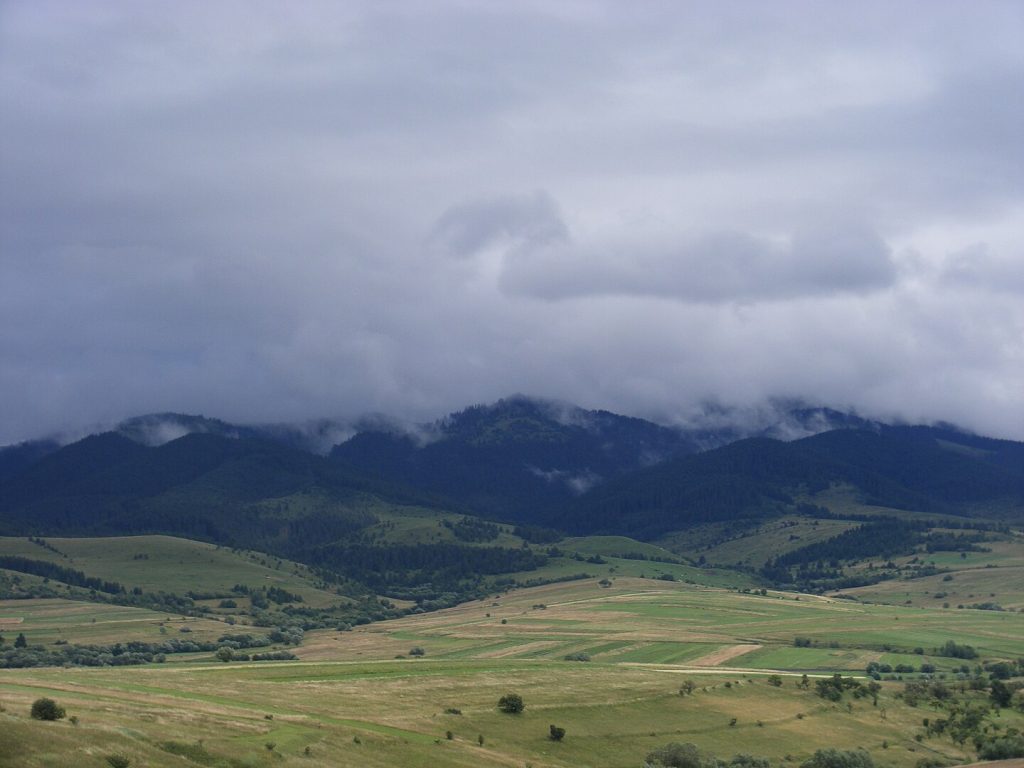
(352, 703)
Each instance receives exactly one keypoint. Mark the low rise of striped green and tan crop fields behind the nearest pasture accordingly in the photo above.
(638, 620)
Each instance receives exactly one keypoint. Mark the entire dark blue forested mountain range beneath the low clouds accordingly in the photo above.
(520, 461)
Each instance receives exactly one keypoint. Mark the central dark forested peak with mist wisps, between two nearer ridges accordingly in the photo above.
(521, 459)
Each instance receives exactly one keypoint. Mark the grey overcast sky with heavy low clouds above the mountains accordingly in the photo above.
(269, 211)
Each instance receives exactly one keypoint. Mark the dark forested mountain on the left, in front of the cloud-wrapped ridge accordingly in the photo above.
(200, 485)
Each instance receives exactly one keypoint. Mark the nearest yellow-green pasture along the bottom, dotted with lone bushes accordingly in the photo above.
(394, 713)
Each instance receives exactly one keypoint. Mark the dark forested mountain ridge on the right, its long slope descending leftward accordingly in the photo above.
(913, 468)
